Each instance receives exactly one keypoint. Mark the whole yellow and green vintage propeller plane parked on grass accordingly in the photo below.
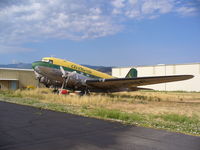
(59, 73)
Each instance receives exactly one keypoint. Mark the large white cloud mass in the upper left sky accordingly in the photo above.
(71, 19)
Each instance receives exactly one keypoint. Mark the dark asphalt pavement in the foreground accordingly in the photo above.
(27, 128)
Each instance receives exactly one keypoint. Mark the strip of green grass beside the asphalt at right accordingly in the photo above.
(172, 122)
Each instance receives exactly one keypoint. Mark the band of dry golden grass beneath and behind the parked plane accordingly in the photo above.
(144, 102)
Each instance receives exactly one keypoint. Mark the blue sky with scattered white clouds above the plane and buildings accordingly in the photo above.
(101, 32)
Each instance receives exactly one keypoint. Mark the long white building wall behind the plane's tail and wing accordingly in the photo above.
(162, 70)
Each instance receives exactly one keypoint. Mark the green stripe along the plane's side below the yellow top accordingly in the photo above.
(46, 64)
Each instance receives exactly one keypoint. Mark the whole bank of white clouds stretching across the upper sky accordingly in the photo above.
(36, 20)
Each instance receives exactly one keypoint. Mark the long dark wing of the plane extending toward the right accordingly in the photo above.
(130, 83)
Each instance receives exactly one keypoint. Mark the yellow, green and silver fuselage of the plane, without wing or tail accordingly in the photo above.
(49, 70)
